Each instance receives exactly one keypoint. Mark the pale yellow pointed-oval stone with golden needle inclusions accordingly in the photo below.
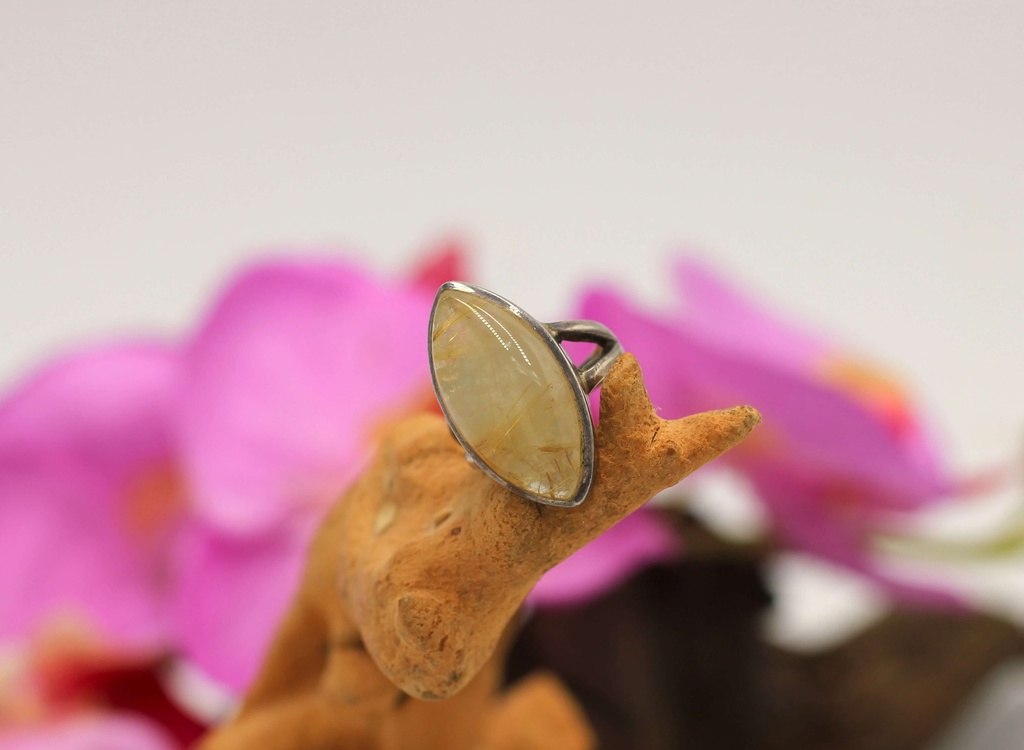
(508, 395)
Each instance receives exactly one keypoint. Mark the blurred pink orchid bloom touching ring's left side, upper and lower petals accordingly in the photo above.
(287, 386)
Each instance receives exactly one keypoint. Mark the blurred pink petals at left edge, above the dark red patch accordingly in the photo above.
(79, 445)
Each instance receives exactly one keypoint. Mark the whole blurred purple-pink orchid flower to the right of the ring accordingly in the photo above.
(841, 452)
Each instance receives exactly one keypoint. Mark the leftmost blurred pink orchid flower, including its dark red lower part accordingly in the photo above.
(90, 510)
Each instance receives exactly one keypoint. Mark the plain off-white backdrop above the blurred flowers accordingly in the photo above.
(860, 164)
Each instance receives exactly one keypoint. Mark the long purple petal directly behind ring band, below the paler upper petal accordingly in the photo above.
(824, 428)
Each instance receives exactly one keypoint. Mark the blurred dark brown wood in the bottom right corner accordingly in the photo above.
(899, 685)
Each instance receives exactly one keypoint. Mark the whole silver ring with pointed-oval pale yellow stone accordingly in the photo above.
(511, 395)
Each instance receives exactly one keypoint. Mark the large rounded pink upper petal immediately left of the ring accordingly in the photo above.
(287, 383)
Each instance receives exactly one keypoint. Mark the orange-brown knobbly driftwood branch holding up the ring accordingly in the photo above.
(418, 571)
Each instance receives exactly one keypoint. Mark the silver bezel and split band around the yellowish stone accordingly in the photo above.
(582, 380)
